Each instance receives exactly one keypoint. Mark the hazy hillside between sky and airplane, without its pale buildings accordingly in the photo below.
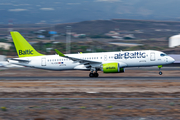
(152, 34)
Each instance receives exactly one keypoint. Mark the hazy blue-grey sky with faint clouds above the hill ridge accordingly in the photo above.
(65, 11)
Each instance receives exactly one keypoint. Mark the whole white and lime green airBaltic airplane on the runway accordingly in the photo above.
(108, 62)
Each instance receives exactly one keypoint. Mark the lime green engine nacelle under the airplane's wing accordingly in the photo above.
(112, 68)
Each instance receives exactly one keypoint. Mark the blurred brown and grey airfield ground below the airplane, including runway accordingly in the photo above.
(137, 94)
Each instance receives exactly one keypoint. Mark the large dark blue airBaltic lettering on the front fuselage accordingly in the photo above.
(130, 55)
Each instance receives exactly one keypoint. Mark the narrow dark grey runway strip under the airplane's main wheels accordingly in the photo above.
(87, 78)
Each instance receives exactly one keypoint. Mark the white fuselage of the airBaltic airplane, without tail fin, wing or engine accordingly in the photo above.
(125, 58)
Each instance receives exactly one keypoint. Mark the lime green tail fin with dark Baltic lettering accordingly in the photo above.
(23, 48)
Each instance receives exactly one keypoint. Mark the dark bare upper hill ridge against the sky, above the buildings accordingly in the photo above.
(149, 29)
